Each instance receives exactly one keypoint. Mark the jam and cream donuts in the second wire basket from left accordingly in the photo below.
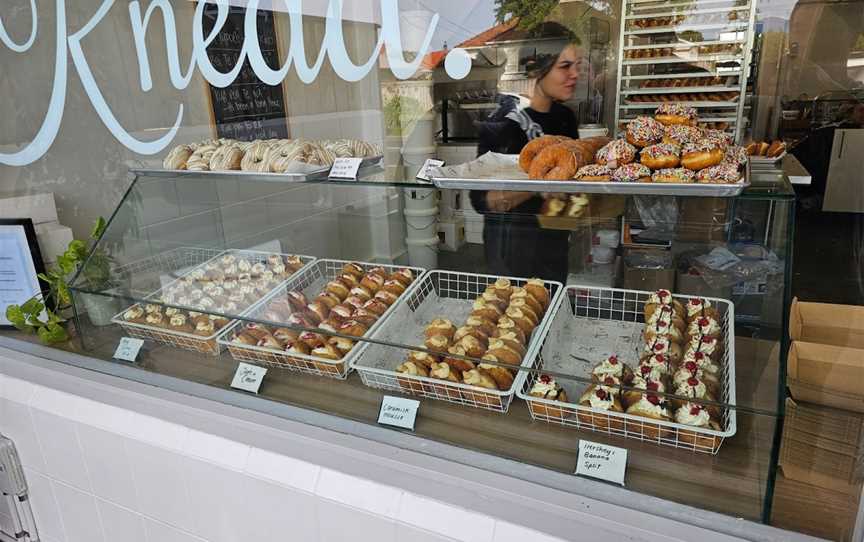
(349, 305)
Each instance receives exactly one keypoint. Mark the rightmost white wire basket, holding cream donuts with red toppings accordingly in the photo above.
(594, 323)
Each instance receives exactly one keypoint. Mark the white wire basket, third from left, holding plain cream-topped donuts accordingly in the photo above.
(441, 294)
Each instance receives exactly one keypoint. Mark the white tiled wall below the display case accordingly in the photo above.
(98, 473)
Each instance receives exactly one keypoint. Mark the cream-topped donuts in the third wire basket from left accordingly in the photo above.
(497, 330)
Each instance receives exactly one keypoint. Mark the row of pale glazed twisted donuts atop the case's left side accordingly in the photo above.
(264, 156)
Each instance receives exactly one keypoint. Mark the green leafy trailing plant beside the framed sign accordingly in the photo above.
(42, 313)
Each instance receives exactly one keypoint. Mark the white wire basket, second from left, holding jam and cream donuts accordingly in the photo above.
(310, 281)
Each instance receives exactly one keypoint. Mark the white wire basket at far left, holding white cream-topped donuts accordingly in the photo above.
(190, 341)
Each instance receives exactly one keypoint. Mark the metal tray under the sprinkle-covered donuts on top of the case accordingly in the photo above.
(647, 189)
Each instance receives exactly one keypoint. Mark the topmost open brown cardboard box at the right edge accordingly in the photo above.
(826, 323)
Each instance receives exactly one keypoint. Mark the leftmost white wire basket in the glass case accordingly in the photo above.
(188, 260)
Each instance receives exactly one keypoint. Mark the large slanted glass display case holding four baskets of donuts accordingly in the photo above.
(319, 281)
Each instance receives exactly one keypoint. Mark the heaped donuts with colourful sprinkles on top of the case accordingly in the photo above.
(668, 148)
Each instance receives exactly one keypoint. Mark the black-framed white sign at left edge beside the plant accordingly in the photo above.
(20, 264)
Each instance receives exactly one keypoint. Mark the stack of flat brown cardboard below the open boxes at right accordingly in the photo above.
(823, 446)
